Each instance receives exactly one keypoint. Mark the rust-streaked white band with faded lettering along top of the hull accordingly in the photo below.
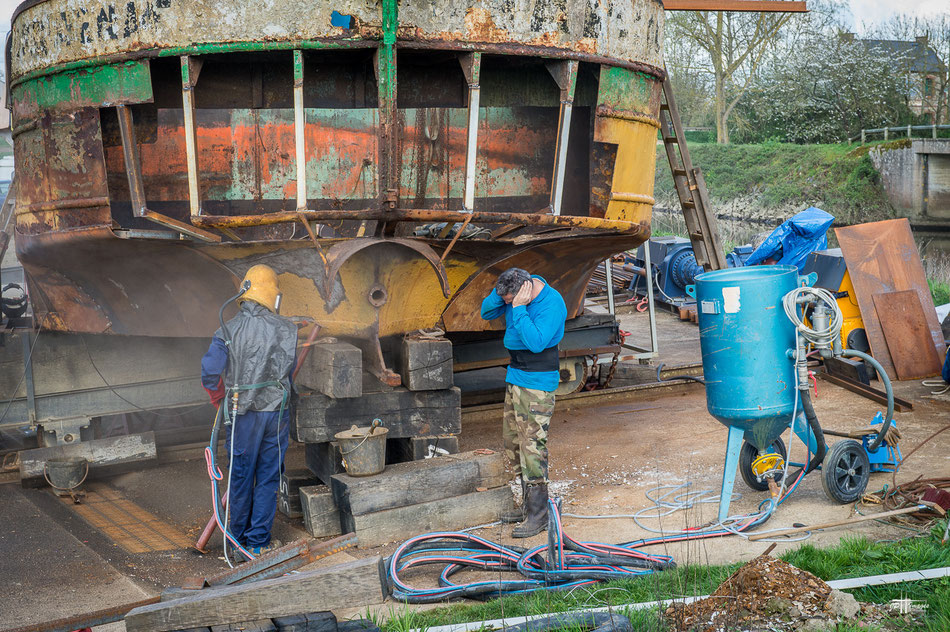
(55, 32)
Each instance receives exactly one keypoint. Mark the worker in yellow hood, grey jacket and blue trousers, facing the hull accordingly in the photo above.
(253, 357)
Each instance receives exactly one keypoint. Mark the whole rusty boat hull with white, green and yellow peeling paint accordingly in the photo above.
(164, 146)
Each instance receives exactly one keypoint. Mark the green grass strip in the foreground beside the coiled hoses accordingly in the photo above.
(853, 557)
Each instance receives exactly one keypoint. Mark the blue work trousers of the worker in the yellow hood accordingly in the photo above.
(260, 442)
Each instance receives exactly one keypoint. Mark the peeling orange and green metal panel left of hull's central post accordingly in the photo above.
(243, 156)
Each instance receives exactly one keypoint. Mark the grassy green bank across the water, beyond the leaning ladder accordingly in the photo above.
(836, 178)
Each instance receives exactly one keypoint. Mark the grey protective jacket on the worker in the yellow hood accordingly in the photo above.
(263, 349)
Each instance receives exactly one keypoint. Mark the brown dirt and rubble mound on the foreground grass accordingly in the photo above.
(766, 594)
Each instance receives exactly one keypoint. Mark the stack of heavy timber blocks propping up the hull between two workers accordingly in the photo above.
(423, 417)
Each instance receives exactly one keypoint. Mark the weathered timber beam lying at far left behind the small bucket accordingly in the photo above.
(99, 453)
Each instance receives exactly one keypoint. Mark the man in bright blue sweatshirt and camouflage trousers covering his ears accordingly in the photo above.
(534, 324)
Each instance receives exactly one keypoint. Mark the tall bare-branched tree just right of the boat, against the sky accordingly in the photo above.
(731, 46)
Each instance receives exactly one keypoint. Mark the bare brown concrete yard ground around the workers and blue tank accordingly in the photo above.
(604, 460)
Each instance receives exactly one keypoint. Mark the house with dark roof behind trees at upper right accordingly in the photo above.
(926, 74)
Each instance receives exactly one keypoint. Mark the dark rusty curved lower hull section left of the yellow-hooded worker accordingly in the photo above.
(87, 280)
